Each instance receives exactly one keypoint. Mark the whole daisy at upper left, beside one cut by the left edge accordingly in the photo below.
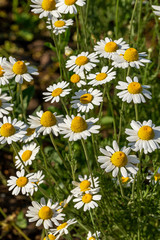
(20, 70)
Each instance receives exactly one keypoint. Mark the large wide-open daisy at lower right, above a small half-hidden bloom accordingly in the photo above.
(116, 160)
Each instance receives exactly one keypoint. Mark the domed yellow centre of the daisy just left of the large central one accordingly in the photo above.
(48, 119)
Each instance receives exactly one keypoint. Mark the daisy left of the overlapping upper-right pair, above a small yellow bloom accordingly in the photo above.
(83, 62)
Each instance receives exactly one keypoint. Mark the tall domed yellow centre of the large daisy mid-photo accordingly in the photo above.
(78, 124)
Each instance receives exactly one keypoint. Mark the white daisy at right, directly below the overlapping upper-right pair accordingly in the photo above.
(133, 91)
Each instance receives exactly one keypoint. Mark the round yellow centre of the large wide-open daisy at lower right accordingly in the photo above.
(119, 159)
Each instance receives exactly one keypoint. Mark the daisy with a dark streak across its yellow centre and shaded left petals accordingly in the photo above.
(86, 99)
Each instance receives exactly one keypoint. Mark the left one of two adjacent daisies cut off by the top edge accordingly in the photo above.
(46, 8)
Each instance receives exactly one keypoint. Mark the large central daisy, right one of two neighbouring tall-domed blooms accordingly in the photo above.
(77, 127)
